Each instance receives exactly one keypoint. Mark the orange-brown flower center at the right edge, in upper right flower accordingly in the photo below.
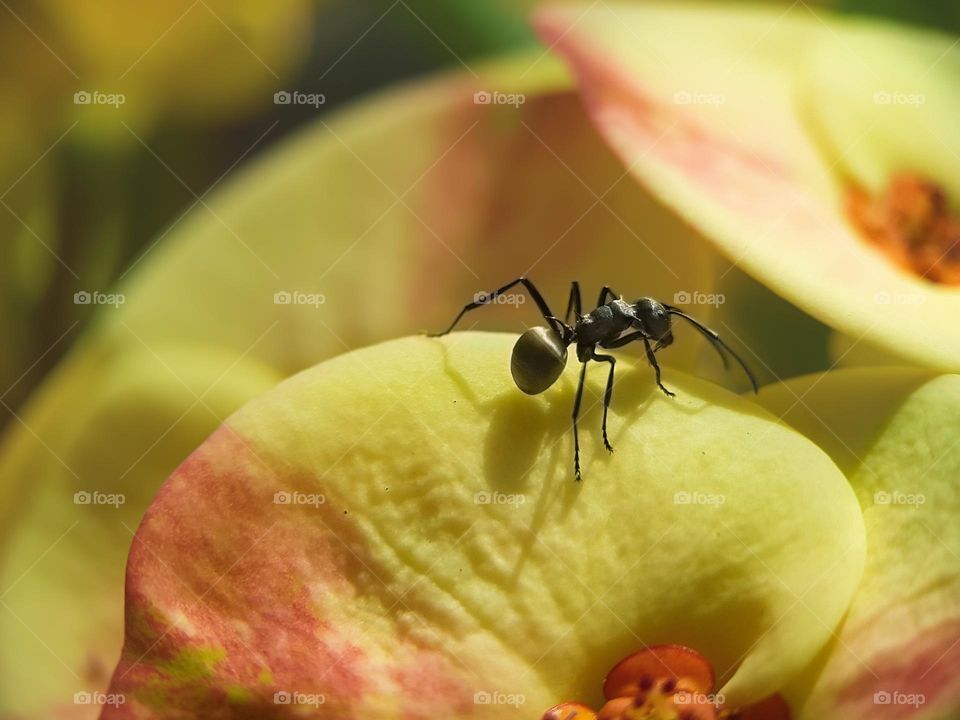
(910, 222)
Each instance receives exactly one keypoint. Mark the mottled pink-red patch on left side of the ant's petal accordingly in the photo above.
(201, 584)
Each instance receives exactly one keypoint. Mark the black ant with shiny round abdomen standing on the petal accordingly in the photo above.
(540, 353)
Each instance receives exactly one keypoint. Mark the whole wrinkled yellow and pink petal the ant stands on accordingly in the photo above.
(398, 531)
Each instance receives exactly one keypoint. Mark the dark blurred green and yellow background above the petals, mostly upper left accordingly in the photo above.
(88, 191)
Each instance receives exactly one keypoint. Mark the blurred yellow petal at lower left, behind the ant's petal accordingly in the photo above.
(73, 496)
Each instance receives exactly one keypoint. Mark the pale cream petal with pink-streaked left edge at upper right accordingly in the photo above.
(748, 172)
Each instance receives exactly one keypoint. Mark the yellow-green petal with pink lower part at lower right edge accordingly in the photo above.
(893, 432)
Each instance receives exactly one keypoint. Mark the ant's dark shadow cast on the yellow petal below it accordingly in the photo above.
(526, 425)
